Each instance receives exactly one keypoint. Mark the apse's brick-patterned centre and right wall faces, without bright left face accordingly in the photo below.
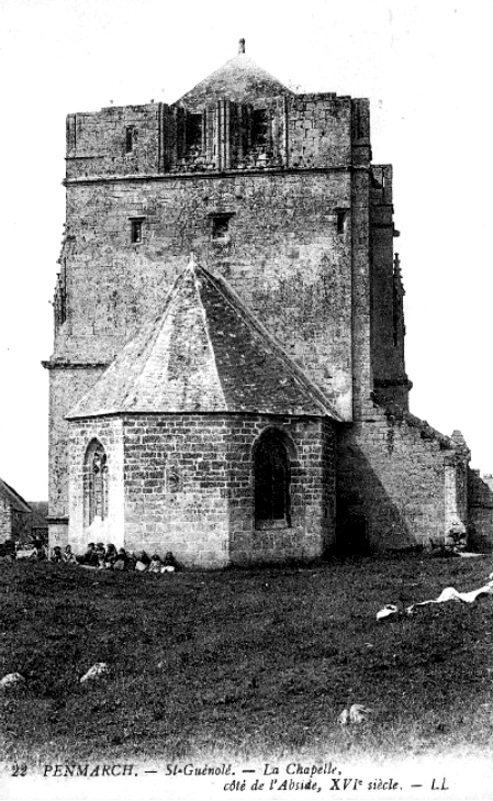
(190, 489)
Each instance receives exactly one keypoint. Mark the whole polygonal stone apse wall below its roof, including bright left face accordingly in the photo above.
(185, 483)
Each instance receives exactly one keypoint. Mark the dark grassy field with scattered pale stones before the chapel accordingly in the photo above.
(244, 662)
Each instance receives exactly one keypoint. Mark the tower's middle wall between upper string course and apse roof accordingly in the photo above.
(284, 255)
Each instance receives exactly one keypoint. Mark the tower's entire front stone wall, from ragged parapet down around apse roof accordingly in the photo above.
(297, 247)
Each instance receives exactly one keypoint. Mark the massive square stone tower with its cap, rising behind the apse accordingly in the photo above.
(275, 194)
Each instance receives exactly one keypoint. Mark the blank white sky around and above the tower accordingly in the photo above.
(426, 67)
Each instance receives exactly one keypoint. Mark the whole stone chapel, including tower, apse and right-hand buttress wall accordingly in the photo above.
(228, 378)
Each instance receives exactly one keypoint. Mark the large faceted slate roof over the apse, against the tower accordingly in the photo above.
(205, 353)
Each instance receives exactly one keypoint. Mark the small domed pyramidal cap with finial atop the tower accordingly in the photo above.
(240, 78)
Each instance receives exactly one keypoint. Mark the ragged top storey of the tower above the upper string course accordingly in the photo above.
(305, 130)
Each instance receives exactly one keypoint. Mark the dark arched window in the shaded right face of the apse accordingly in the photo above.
(272, 479)
